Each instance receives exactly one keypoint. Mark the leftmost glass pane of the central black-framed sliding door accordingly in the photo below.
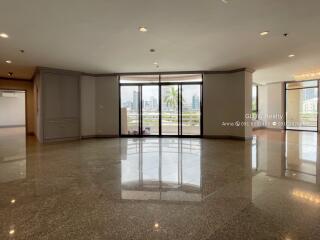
(130, 110)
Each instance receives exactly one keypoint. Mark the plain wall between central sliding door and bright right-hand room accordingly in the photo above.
(227, 98)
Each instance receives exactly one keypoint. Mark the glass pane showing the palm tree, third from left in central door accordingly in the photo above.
(169, 109)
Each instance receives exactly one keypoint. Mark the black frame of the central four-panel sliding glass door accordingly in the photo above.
(160, 84)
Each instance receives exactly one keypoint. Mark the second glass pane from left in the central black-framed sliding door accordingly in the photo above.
(150, 110)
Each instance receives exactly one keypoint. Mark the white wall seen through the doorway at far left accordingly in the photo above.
(12, 110)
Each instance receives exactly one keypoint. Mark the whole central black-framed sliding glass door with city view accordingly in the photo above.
(156, 105)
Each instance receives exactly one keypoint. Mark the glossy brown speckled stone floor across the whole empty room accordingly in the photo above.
(160, 188)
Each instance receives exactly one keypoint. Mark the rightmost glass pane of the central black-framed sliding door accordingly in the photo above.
(191, 112)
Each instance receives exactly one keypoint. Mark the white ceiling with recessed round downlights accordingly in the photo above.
(101, 36)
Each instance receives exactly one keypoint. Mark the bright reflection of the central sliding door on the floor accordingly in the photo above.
(161, 169)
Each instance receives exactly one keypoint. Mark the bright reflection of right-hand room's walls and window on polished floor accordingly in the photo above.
(290, 153)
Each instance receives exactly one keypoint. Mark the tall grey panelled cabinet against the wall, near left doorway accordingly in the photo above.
(61, 105)
